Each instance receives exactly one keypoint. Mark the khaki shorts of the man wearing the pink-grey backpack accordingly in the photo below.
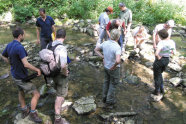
(61, 85)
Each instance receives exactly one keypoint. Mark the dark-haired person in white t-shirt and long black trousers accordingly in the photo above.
(165, 48)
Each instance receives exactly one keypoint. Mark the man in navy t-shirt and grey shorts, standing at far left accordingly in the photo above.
(16, 55)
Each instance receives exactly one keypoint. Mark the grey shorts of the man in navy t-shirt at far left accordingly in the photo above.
(26, 87)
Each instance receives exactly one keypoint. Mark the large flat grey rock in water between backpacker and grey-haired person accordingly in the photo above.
(85, 105)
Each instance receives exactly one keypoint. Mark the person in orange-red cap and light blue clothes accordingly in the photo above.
(103, 21)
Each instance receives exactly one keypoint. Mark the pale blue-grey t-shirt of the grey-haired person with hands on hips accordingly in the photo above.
(110, 50)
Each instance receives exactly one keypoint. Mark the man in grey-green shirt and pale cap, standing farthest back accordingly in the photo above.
(126, 16)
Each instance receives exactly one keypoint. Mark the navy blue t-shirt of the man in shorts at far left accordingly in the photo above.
(16, 52)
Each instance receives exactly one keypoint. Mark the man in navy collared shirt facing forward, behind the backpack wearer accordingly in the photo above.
(45, 27)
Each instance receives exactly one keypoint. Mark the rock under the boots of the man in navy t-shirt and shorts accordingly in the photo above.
(18, 120)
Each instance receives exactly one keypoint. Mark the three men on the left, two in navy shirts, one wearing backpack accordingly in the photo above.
(16, 55)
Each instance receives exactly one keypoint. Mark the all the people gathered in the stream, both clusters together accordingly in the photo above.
(114, 33)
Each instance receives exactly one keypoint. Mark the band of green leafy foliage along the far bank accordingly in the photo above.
(143, 10)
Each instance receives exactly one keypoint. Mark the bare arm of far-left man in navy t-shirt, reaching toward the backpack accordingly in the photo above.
(29, 66)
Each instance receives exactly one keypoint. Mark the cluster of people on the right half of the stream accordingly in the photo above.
(115, 33)
